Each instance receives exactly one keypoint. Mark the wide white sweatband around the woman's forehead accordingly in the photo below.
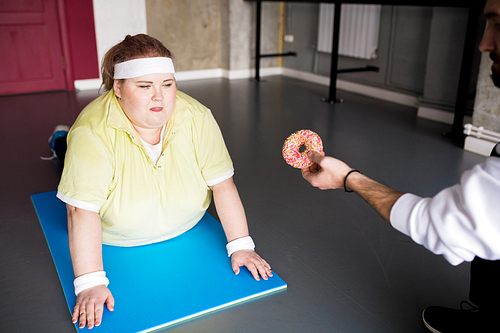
(143, 66)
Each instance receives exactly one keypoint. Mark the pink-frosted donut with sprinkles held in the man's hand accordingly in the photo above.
(291, 153)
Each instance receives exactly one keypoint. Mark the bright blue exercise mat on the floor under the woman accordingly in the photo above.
(159, 285)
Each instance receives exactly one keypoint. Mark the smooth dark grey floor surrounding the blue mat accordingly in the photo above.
(347, 270)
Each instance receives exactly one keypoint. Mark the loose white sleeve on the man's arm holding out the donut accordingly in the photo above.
(460, 222)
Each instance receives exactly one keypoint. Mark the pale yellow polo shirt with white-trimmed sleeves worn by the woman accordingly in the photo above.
(107, 170)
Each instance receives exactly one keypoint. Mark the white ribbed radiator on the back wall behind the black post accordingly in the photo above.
(359, 30)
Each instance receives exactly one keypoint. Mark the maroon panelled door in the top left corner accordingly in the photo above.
(30, 47)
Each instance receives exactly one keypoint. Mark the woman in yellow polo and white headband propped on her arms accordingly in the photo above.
(142, 162)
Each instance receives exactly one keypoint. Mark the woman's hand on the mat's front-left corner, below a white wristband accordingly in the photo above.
(90, 306)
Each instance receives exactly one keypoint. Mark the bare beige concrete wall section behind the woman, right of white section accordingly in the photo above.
(213, 34)
